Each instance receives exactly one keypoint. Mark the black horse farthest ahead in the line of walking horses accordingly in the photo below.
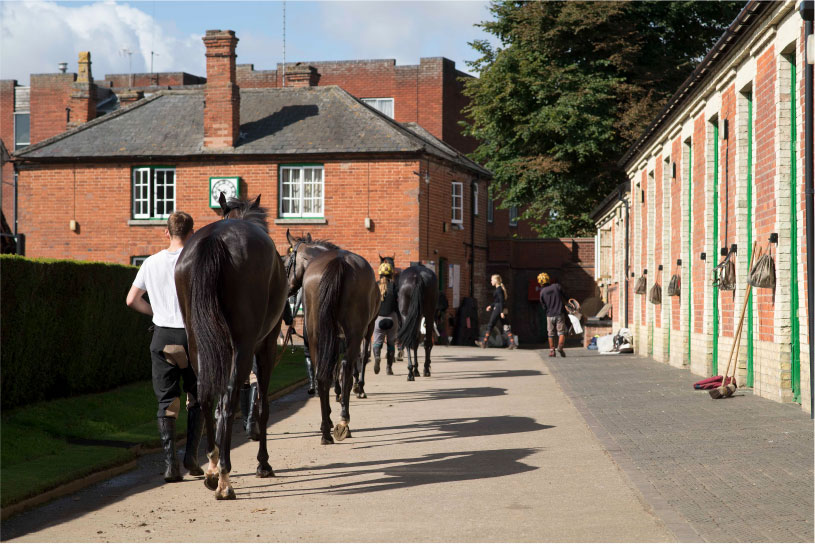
(418, 292)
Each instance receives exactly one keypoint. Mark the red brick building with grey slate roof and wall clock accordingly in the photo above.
(323, 160)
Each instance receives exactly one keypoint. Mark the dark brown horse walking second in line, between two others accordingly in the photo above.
(341, 296)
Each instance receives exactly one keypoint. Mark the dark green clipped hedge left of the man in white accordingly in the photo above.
(65, 329)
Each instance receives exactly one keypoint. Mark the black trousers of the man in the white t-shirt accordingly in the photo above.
(166, 376)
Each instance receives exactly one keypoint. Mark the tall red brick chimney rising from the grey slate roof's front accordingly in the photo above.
(222, 100)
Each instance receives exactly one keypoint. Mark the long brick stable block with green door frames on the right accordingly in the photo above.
(721, 167)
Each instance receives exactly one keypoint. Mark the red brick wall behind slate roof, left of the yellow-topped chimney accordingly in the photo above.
(50, 95)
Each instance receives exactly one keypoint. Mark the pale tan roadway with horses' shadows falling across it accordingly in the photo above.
(487, 449)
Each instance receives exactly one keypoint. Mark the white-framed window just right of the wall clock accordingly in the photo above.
(301, 191)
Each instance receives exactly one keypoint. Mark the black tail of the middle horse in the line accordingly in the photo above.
(329, 300)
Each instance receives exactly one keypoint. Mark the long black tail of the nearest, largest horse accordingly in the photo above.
(212, 336)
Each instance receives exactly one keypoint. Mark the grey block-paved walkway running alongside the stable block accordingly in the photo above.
(729, 470)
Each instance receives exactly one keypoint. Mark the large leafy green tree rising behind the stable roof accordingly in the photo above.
(570, 88)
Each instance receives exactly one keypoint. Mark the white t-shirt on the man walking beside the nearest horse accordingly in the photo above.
(157, 277)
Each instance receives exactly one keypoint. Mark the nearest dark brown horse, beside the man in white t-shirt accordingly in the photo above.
(231, 287)
